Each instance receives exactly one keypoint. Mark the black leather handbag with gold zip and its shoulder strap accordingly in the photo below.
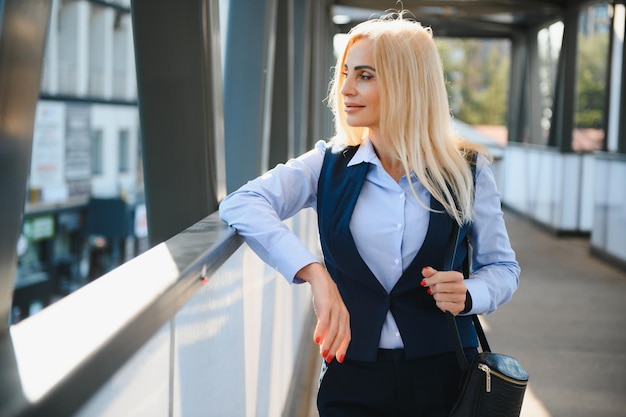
(493, 385)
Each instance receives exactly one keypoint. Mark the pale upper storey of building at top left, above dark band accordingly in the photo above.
(89, 52)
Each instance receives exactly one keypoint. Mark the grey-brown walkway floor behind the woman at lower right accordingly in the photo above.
(566, 324)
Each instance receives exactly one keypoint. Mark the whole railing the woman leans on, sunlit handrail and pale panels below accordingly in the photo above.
(195, 325)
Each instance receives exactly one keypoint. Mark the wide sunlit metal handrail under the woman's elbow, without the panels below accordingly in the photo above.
(54, 361)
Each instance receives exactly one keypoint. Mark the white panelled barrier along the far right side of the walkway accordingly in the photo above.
(570, 193)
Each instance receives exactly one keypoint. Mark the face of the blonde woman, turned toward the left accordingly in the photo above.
(360, 87)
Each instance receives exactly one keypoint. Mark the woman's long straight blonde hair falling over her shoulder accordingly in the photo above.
(415, 119)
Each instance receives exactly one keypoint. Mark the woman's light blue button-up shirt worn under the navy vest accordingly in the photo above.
(388, 225)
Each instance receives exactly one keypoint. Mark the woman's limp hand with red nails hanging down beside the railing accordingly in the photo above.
(332, 332)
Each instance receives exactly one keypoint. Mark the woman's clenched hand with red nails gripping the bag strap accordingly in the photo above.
(447, 288)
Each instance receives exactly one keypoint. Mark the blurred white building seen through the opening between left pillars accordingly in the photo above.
(85, 189)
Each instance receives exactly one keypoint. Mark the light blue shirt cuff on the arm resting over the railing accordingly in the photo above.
(298, 256)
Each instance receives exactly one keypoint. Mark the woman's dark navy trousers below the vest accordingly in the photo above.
(393, 386)
